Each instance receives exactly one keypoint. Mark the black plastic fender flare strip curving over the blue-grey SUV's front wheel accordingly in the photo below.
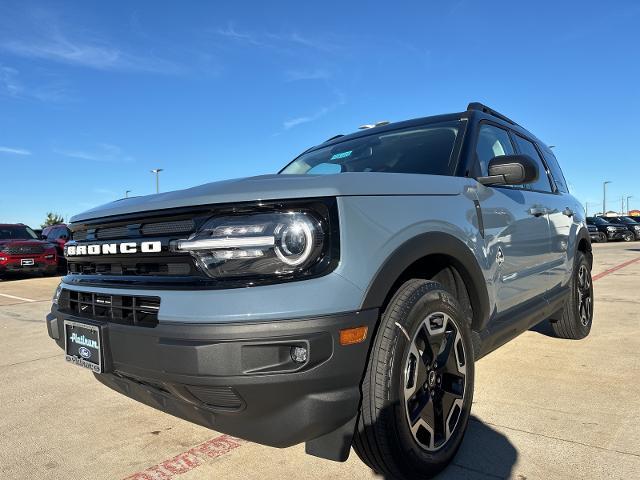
(433, 243)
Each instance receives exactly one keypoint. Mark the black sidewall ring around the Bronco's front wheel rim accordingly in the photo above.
(434, 300)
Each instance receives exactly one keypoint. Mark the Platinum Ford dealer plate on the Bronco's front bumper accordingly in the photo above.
(83, 345)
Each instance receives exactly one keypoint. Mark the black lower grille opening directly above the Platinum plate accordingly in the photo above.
(123, 309)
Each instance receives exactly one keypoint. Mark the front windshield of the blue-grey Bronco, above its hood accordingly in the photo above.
(425, 149)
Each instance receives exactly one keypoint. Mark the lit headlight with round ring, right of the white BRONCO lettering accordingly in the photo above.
(285, 243)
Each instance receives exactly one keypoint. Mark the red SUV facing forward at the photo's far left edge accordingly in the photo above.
(22, 251)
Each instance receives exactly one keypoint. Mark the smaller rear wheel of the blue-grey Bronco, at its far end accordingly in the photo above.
(577, 315)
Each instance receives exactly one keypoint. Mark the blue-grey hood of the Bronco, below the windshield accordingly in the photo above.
(282, 187)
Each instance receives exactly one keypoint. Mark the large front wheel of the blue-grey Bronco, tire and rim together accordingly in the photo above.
(421, 313)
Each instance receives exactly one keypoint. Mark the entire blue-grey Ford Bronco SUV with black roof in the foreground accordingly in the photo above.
(342, 302)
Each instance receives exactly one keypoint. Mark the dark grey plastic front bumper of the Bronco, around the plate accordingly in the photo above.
(240, 378)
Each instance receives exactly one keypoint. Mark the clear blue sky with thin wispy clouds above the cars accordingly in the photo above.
(95, 94)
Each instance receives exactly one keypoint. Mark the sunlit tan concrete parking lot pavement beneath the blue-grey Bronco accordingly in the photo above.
(543, 408)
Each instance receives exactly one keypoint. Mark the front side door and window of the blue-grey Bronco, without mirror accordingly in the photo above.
(516, 227)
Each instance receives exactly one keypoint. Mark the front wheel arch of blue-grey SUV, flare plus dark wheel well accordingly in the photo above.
(427, 256)
